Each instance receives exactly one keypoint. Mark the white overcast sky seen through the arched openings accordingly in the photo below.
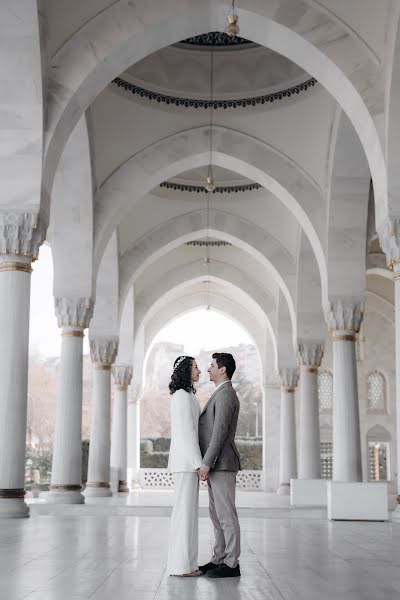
(195, 330)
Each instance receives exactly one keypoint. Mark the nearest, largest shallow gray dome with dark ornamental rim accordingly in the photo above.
(242, 71)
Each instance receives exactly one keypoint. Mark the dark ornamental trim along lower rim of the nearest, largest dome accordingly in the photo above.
(198, 103)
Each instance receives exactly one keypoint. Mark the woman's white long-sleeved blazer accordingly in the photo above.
(184, 453)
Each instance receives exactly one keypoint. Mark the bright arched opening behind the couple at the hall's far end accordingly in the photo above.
(199, 333)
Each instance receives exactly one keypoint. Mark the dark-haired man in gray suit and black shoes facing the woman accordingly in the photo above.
(221, 462)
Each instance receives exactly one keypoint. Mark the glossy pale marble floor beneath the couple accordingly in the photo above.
(123, 558)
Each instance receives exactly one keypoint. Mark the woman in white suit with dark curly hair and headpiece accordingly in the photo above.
(184, 461)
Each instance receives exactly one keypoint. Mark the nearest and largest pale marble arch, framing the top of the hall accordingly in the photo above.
(145, 31)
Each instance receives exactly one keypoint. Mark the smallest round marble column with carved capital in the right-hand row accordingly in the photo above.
(288, 455)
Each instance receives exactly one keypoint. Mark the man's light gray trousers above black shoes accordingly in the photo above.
(221, 492)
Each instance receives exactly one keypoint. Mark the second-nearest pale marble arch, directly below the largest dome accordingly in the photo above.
(232, 150)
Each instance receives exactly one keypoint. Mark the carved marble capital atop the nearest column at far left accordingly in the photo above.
(21, 234)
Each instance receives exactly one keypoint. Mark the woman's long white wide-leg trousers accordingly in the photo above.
(184, 533)
